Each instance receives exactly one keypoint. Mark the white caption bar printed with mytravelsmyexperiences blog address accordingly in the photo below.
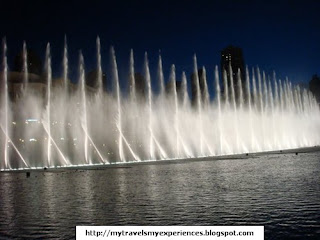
(170, 232)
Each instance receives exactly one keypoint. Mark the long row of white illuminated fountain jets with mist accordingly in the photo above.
(76, 125)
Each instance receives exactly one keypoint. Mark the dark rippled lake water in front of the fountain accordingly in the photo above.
(281, 192)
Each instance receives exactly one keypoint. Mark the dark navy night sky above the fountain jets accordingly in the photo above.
(275, 35)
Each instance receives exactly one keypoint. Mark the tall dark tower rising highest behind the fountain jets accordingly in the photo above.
(234, 56)
